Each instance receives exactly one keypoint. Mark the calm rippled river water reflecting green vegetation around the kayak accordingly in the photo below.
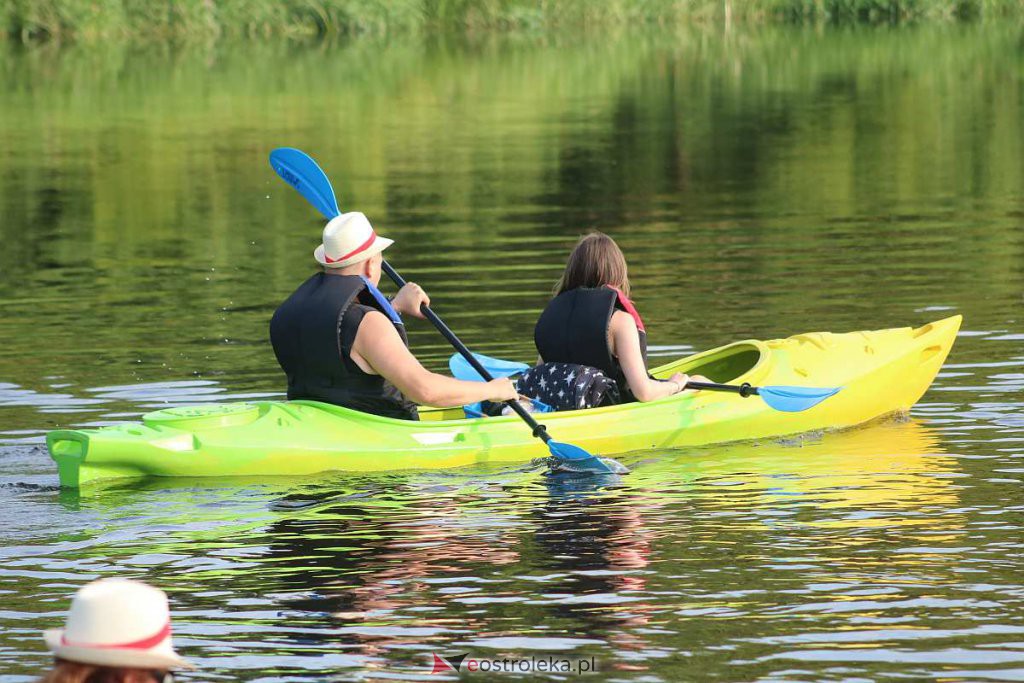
(762, 184)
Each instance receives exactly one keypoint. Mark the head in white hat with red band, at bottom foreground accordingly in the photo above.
(118, 631)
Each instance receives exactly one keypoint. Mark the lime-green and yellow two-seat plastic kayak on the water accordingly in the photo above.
(881, 373)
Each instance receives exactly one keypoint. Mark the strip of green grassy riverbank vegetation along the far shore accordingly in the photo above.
(42, 20)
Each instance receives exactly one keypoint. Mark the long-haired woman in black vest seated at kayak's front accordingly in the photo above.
(592, 324)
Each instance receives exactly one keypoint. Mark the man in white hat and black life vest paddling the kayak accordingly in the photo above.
(340, 341)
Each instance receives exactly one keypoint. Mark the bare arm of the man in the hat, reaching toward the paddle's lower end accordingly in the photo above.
(379, 351)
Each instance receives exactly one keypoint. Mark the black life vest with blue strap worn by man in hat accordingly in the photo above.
(313, 335)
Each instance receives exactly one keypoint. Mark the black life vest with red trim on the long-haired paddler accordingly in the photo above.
(575, 329)
